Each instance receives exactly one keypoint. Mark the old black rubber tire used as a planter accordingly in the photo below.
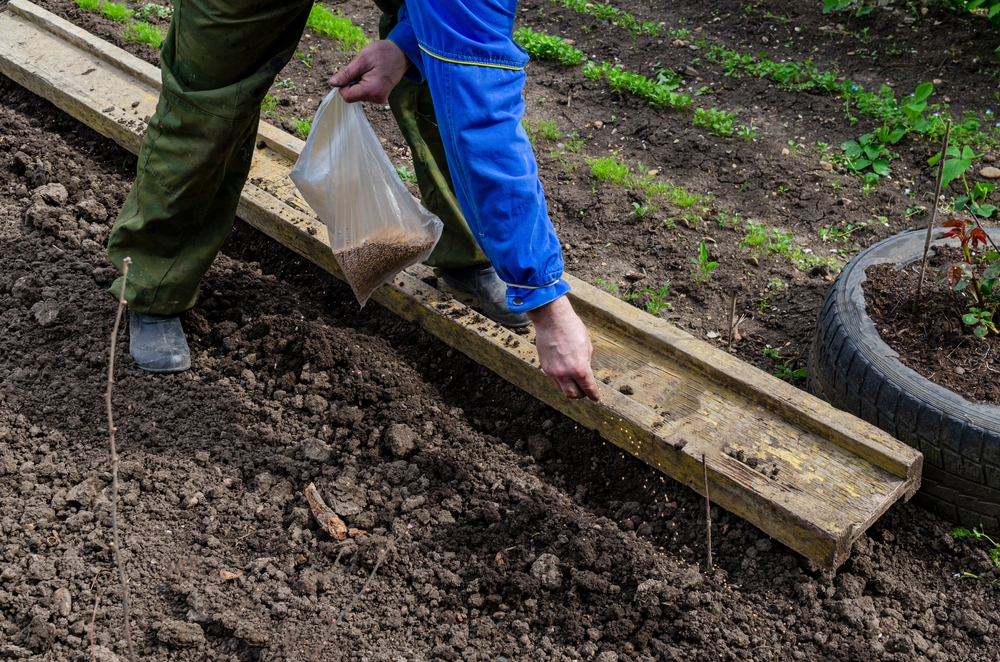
(853, 369)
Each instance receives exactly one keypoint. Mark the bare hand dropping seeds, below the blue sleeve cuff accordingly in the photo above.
(564, 349)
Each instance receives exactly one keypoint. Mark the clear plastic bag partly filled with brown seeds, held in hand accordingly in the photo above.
(376, 227)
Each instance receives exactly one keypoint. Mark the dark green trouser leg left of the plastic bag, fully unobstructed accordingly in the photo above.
(219, 59)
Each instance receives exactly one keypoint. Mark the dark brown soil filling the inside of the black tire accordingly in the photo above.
(934, 342)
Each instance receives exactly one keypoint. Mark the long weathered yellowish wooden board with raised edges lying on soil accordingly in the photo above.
(810, 476)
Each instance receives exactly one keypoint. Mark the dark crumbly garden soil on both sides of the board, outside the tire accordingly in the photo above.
(513, 534)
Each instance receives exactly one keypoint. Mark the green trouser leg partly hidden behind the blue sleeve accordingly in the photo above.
(414, 112)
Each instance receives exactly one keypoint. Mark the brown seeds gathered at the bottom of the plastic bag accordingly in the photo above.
(379, 258)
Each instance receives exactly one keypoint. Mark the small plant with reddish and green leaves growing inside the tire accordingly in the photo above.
(976, 276)
